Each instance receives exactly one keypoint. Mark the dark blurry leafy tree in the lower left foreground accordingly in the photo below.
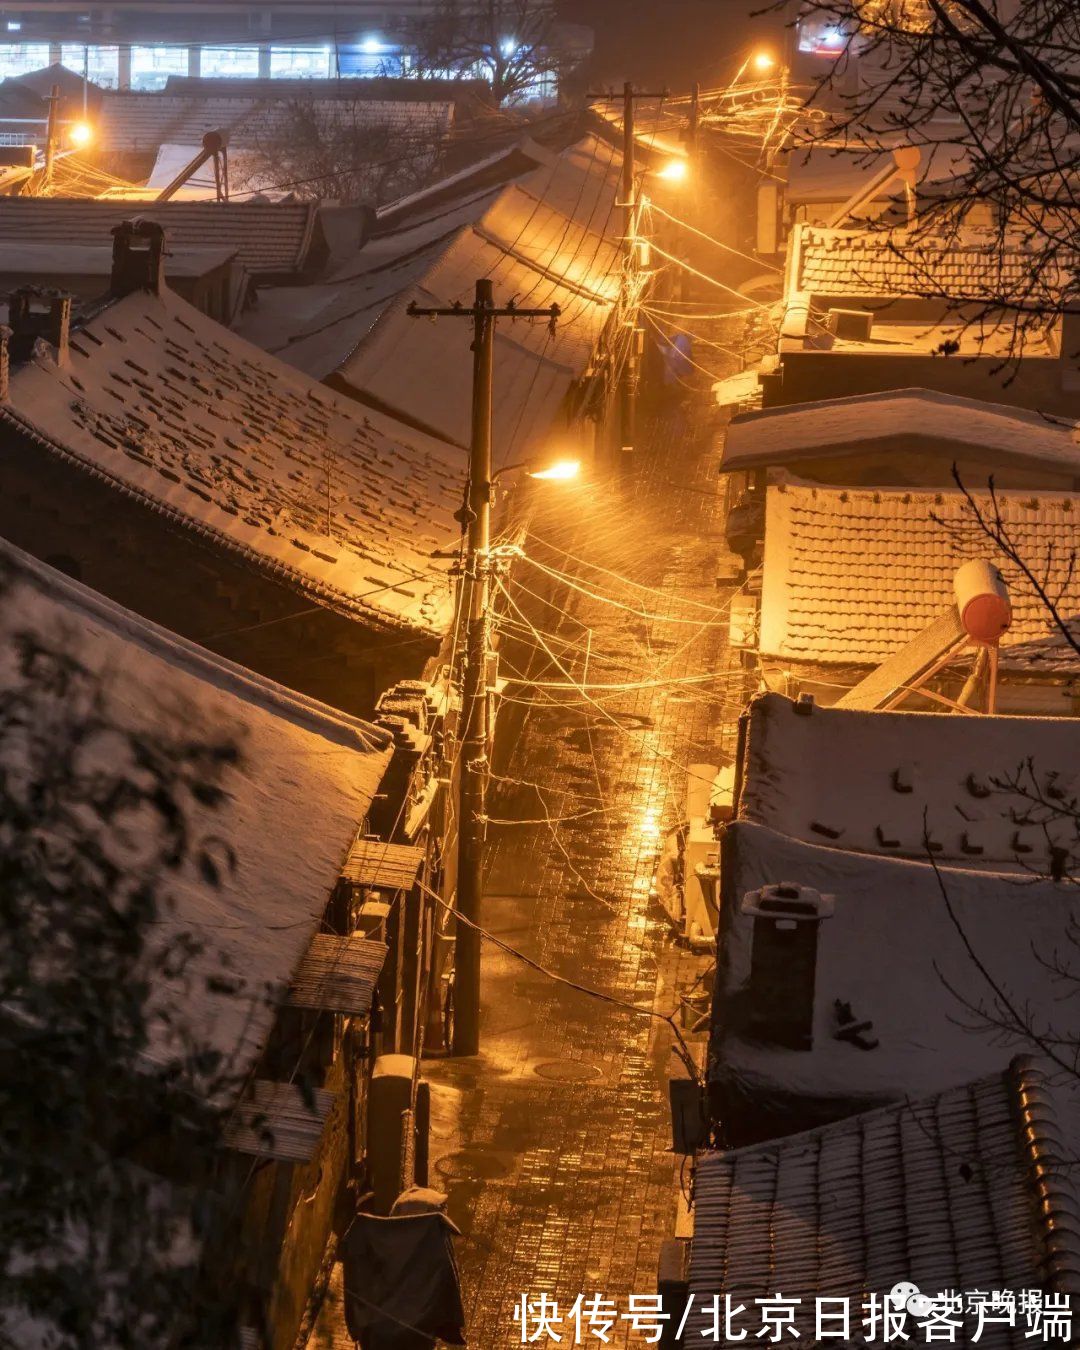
(107, 1151)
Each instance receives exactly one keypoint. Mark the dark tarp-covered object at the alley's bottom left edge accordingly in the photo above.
(403, 1291)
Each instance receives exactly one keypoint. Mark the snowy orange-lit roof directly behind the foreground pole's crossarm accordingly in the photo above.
(535, 244)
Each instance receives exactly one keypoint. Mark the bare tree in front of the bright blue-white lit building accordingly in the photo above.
(514, 45)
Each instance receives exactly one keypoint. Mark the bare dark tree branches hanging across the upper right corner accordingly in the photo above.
(994, 87)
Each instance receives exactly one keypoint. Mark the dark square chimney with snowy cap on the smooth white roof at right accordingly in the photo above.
(784, 962)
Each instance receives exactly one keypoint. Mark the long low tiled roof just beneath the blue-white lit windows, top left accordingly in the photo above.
(142, 122)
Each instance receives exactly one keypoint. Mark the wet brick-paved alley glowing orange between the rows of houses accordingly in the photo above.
(556, 1143)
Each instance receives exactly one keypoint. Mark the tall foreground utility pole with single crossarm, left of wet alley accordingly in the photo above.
(473, 614)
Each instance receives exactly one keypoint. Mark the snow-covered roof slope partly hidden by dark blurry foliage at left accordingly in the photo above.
(294, 797)
